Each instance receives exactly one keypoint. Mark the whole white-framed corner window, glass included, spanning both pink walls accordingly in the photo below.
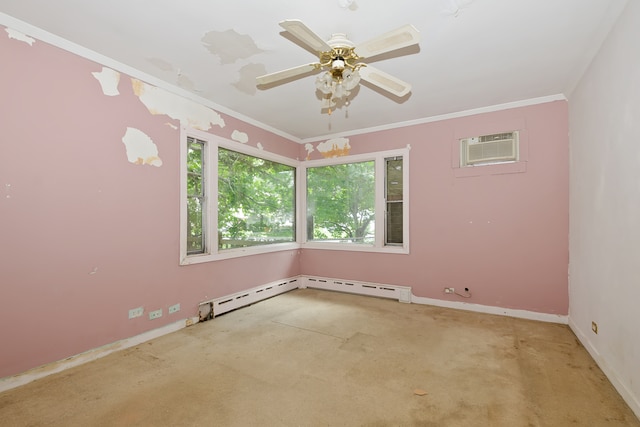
(237, 200)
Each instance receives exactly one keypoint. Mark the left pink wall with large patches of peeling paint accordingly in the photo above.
(84, 234)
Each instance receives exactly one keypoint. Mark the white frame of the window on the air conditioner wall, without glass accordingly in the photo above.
(379, 244)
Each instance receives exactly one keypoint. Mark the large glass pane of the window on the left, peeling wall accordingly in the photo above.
(256, 201)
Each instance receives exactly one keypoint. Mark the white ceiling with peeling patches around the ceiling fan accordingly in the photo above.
(492, 52)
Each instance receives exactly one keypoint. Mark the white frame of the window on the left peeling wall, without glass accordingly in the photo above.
(212, 252)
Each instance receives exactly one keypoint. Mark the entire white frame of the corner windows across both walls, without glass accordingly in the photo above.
(212, 252)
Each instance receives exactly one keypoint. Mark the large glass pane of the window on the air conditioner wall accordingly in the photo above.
(341, 203)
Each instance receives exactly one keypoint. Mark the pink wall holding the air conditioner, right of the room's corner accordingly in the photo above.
(503, 235)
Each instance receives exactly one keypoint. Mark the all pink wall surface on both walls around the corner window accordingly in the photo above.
(85, 235)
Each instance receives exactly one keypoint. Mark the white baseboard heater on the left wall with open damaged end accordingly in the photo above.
(210, 309)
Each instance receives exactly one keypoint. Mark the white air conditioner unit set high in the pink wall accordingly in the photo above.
(489, 149)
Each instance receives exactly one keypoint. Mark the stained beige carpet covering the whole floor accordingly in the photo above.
(318, 358)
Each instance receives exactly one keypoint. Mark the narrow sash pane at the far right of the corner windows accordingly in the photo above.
(393, 196)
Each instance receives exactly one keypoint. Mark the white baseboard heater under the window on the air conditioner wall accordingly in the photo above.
(401, 293)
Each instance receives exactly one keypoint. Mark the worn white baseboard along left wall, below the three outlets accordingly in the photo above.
(90, 355)
